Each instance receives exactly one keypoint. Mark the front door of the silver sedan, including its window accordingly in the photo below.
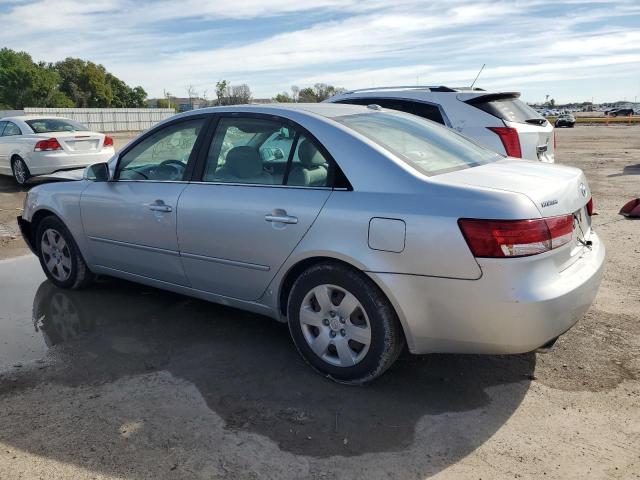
(130, 222)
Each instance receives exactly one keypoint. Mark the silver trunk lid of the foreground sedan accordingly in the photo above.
(554, 189)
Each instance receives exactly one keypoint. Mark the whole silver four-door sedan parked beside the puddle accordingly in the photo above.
(365, 229)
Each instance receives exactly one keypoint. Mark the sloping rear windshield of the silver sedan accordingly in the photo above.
(428, 147)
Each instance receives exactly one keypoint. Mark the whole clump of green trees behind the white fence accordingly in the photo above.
(70, 83)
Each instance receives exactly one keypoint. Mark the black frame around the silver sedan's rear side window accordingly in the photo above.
(200, 165)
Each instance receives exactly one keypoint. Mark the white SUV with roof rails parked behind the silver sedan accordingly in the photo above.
(499, 121)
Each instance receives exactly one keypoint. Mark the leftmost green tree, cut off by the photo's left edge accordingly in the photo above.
(24, 83)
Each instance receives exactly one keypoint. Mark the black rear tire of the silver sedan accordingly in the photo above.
(386, 336)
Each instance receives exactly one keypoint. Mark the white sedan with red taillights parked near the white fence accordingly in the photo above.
(38, 145)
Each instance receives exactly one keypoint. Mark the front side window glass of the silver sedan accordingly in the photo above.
(162, 156)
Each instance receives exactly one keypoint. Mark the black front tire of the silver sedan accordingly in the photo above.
(72, 271)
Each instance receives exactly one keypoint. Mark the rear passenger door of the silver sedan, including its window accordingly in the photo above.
(244, 216)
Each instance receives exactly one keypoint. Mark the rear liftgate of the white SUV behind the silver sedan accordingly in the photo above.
(534, 131)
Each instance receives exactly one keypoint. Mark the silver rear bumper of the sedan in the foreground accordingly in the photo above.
(517, 306)
